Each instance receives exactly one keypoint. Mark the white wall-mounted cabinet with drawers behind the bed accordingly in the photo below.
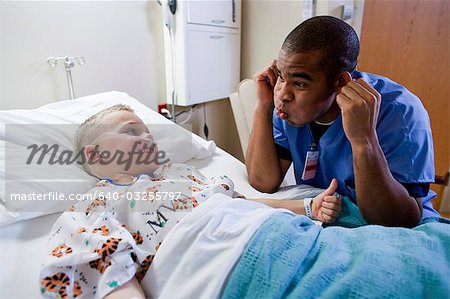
(202, 50)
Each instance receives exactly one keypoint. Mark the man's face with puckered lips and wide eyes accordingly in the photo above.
(303, 92)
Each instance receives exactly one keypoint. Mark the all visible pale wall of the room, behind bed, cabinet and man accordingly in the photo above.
(123, 46)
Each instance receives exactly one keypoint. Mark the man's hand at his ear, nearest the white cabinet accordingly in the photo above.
(265, 81)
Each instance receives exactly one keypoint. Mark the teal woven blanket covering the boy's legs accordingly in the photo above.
(290, 257)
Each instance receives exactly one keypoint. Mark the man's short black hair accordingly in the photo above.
(337, 41)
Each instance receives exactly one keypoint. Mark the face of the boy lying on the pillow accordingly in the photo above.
(126, 147)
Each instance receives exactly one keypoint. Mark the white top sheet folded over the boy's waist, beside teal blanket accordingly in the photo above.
(196, 257)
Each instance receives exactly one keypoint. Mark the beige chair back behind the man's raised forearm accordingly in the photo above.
(243, 104)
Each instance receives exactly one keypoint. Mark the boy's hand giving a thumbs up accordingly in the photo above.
(326, 207)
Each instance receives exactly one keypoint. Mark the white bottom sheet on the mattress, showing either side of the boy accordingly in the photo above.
(23, 244)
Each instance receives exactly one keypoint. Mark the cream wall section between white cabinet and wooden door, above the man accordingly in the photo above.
(265, 25)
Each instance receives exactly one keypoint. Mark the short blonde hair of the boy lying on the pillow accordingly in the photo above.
(93, 127)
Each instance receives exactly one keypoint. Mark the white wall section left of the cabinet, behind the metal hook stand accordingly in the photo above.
(121, 42)
